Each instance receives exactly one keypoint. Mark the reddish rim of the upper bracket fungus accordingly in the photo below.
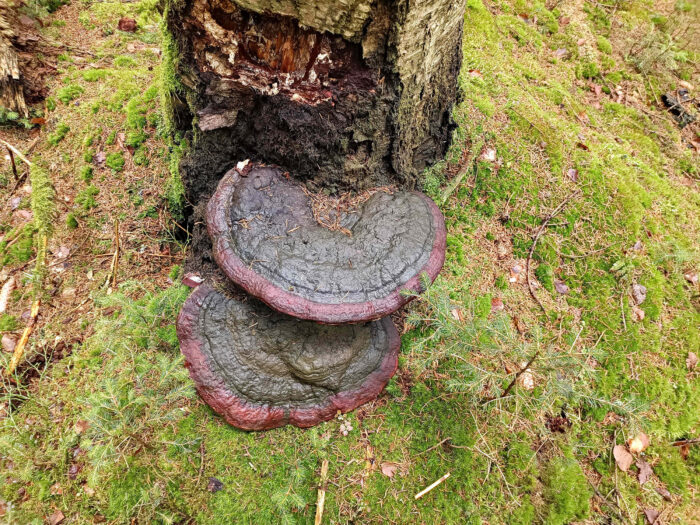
(219, 228)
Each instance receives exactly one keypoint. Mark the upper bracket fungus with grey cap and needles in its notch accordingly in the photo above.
(265, 239)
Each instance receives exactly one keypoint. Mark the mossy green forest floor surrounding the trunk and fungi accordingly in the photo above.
(563, 141)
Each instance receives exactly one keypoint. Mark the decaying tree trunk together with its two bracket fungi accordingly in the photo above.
(323, 97)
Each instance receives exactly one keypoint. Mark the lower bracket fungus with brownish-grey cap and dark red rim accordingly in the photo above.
(261, 369)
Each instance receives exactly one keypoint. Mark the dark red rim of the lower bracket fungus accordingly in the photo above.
(252, 416)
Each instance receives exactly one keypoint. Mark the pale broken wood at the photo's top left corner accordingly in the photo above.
(11, 91)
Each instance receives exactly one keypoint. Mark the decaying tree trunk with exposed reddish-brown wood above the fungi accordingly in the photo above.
(344, 94)
